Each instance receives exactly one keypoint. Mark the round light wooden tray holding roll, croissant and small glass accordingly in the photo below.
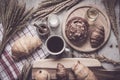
(80, 11)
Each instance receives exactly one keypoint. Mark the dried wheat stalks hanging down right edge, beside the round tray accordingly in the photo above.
(110, 9)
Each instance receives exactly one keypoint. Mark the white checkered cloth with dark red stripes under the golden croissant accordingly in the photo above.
(9, 69)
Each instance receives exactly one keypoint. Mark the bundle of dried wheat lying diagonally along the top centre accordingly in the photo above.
(52, 6)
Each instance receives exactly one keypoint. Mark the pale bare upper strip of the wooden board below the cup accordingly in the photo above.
(67, 62)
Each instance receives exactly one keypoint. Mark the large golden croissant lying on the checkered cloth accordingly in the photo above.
(25, 45)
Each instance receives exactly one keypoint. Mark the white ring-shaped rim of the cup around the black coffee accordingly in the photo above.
(55, 53)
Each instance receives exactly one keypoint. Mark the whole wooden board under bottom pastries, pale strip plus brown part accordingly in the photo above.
(51, 64)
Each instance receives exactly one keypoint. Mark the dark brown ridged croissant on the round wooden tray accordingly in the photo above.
(97, 37)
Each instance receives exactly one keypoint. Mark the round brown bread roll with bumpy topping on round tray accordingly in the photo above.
(77, 30)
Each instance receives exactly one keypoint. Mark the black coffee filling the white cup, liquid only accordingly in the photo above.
(55, 44)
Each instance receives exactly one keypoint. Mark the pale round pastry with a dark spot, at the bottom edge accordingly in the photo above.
(42, 75)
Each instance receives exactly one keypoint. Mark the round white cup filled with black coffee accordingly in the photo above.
(55, 45)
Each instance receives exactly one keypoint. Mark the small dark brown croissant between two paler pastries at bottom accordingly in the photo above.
(62, 73)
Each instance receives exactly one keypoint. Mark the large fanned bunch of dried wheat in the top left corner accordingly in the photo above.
(14, 17)
